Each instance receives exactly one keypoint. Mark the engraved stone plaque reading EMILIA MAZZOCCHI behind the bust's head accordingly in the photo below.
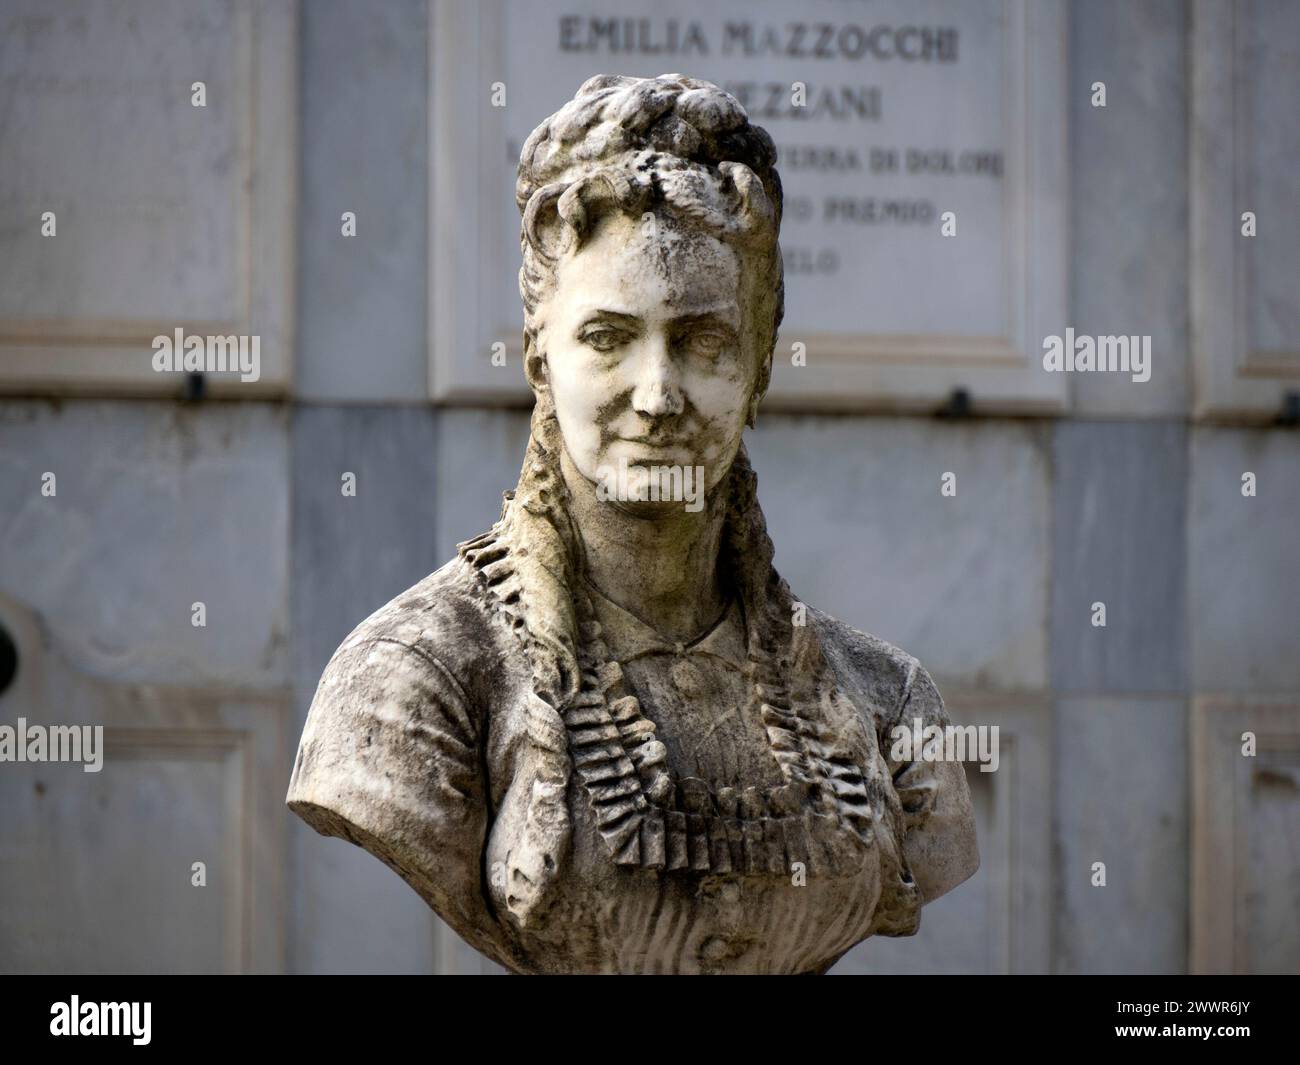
(894, 124)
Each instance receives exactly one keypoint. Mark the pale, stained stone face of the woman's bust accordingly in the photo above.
(652, 354)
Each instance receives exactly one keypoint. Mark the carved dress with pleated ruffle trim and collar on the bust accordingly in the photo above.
(770, 832)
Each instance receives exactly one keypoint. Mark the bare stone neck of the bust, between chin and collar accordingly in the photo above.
(658, 562)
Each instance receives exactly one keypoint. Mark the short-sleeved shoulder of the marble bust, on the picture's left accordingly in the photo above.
(392, 751)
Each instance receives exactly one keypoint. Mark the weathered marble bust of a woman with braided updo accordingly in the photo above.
(606, 738)
